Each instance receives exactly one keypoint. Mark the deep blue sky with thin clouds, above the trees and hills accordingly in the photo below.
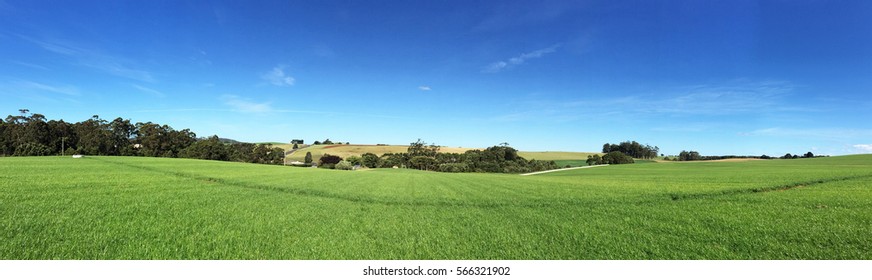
(719, 77)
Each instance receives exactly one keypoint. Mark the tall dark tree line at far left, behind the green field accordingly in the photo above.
(34, 135)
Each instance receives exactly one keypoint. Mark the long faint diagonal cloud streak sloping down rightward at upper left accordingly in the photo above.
(110, 64)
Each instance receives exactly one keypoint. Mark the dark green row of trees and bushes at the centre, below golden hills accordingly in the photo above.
(421, 156)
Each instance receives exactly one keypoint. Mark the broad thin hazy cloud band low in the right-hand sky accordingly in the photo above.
(730, 99)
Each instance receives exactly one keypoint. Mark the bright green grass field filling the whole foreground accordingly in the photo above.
(152, 208)
